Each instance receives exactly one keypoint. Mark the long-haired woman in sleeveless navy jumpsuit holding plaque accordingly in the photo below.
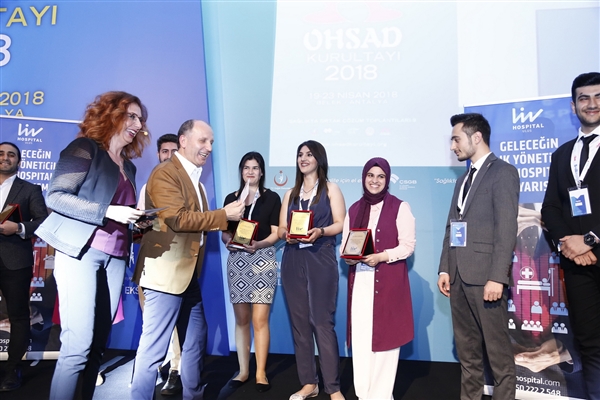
(312, 214)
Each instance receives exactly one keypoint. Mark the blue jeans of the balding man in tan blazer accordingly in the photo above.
(162, 312)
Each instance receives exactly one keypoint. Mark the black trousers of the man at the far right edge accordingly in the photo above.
(583, 294)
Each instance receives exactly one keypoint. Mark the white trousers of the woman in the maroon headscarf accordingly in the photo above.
(374, 372)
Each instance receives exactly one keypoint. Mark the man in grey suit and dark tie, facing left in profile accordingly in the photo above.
(476, 260)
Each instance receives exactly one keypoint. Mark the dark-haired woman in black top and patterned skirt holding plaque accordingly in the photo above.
(252, 267)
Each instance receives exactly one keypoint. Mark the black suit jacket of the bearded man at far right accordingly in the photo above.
(556, 209)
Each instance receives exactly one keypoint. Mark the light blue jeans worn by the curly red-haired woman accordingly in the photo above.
(88, 295)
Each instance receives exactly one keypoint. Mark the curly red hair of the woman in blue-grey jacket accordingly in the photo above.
(105, 117)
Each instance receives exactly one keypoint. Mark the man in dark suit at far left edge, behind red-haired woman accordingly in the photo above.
(16, 256)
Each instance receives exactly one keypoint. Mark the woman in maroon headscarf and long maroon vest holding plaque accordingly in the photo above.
(380, 316)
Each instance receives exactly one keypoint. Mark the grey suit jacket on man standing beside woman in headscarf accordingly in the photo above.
(491, 215)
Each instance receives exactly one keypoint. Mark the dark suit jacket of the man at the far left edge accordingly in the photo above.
(17, 253)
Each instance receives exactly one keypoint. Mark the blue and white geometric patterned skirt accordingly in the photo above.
(252, 277)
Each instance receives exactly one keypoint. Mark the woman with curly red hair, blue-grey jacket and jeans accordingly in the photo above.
(93, 195)
